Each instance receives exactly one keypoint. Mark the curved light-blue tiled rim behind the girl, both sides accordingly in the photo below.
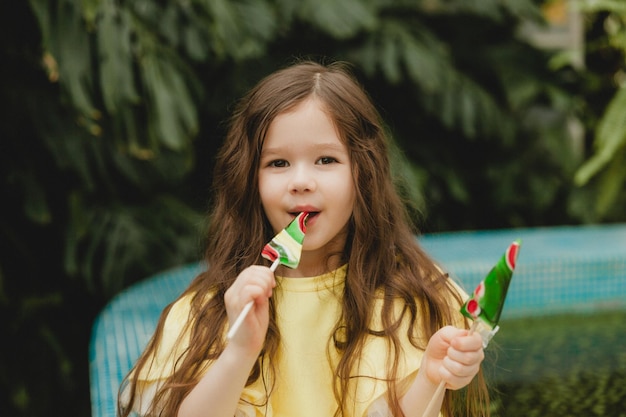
(559, 269)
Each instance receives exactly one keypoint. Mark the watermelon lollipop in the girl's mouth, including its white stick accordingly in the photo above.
(285, 248)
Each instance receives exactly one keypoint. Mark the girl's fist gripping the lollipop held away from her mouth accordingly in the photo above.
(453, 356)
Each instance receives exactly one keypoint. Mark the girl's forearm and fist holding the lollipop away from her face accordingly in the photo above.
(453, 356)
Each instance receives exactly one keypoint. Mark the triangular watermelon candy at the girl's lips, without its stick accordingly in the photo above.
(287, 245)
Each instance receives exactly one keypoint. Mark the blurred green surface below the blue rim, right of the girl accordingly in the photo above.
(571, 365)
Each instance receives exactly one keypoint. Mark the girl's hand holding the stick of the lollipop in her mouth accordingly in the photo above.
(254, 283)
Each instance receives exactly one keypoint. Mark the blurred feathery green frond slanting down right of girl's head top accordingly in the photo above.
(402, 47)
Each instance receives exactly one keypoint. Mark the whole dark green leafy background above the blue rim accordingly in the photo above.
(505, 114)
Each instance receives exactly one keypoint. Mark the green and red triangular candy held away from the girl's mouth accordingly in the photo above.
(485, 304)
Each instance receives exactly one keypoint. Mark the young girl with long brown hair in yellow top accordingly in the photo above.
(366, 325)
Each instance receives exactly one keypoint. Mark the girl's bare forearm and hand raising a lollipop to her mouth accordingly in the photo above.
(217, 393)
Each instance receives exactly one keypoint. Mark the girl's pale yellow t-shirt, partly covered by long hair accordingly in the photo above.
(307, 312)
